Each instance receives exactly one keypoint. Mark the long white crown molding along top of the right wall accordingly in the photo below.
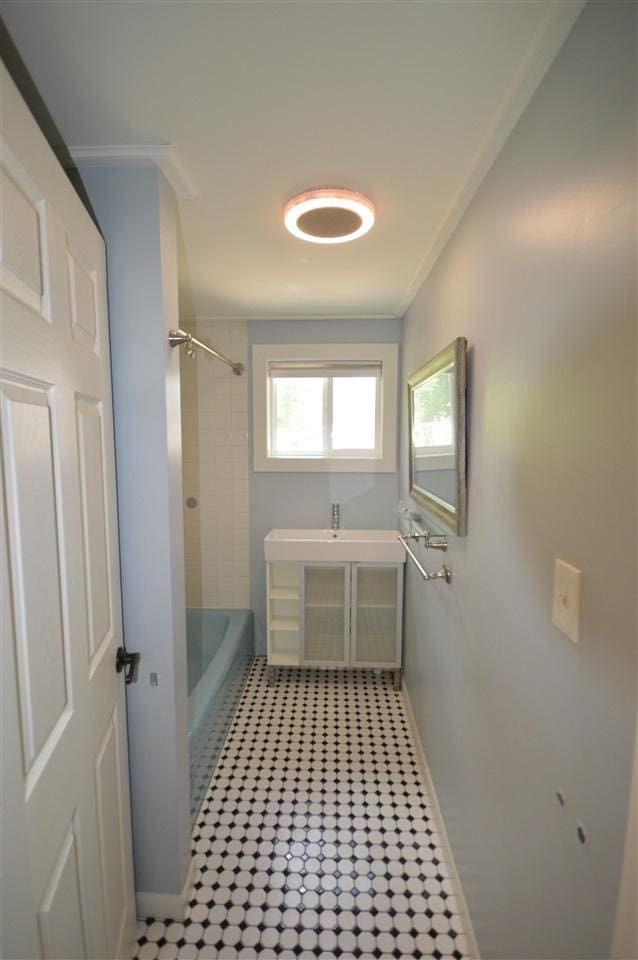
(543, 48)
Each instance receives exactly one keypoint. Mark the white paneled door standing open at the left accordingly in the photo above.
(67, 877)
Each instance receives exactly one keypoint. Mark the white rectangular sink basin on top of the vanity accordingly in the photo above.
(373, 546)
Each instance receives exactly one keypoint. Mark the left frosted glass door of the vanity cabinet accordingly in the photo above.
(326, 614)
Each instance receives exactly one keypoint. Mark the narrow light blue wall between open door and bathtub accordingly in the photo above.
(136, 211)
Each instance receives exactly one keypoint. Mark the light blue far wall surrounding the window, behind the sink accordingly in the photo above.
(292, 500)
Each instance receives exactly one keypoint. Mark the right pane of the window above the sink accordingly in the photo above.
(354, 413)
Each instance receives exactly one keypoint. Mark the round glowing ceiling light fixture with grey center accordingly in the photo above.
(329, 215)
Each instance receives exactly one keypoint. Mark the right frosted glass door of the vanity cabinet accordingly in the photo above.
(376, 615)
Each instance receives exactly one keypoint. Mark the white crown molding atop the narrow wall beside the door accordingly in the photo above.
(161, 155)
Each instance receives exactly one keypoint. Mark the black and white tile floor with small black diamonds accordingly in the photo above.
(316, 838)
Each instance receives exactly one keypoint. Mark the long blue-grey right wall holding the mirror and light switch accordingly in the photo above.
(540, 276)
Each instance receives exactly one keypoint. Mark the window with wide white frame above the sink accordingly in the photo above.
(325, 407)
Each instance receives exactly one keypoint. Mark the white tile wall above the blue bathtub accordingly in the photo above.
(215, 468)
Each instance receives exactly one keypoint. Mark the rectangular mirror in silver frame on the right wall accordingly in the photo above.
(436, 395)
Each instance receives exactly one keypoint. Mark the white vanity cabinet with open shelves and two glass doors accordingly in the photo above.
(327, 614)
